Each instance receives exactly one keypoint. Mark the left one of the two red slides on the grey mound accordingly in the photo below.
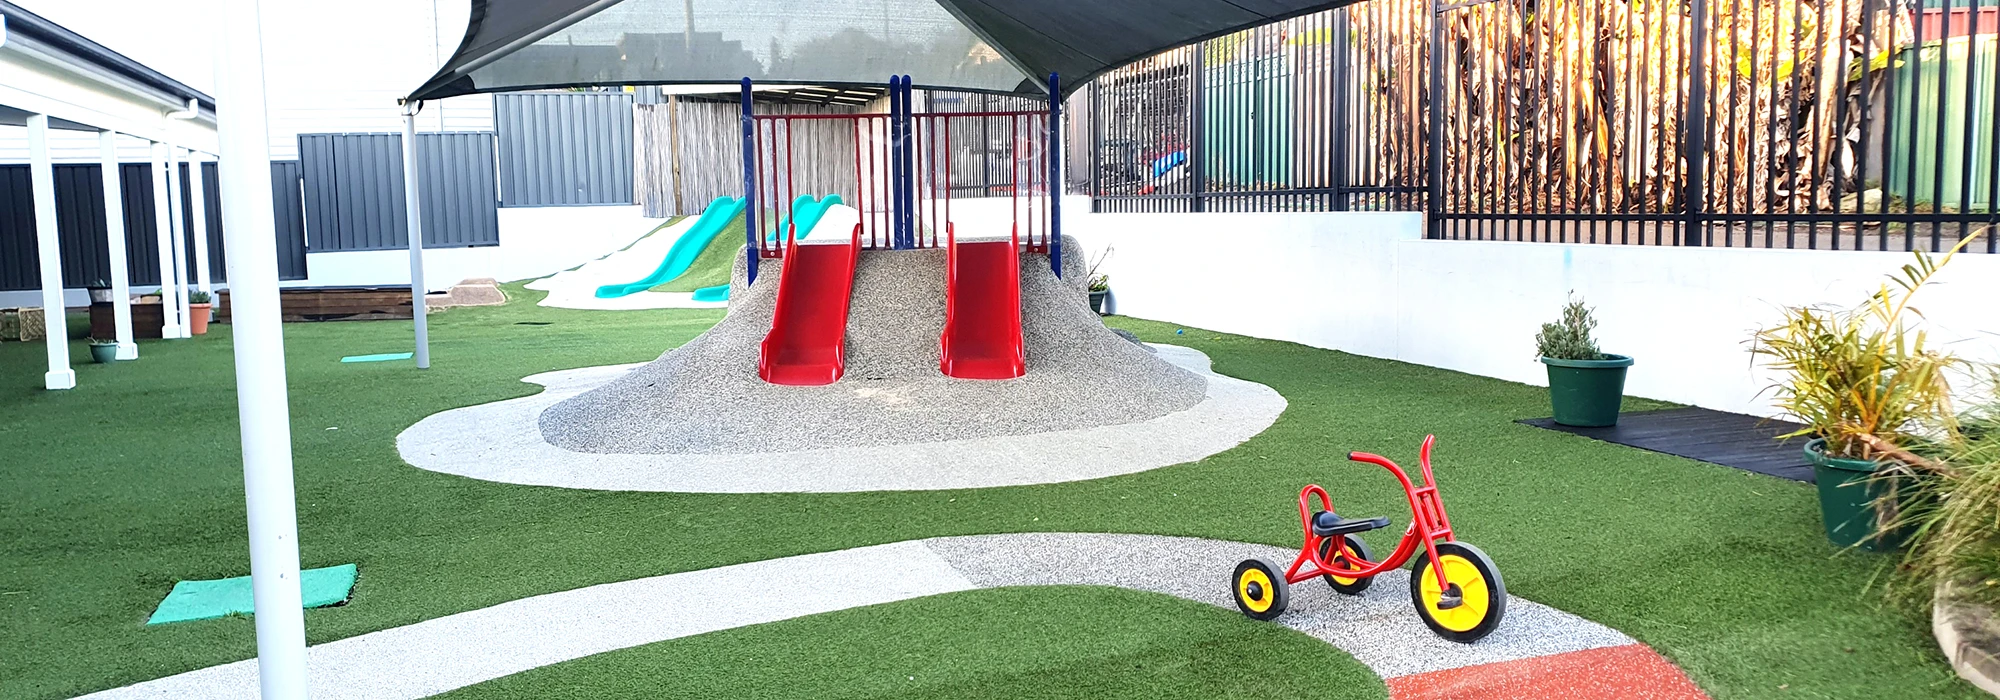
(807, 343)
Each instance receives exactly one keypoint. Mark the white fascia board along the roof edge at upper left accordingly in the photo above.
(45, 85)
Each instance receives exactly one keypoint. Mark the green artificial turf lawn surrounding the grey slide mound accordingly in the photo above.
(133, 481)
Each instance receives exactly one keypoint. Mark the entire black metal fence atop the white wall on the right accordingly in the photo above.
(1853, 125)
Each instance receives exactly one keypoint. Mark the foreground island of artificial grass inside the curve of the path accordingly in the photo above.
(1007, 643)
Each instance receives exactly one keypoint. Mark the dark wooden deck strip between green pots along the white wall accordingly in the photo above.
(1745, 443)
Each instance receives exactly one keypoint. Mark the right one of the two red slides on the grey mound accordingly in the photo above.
(983, 311)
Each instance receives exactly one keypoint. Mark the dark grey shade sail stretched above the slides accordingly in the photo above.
(947, 45)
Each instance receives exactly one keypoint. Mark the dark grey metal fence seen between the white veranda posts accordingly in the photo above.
(81, 227)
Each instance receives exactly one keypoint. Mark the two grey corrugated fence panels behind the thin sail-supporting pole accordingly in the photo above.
(355, 191)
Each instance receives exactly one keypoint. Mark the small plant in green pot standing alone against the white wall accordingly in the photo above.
(1585, 387)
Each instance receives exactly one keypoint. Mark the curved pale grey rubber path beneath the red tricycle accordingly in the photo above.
(433, 657)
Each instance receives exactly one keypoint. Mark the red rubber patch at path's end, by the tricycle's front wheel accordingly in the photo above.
(1633, 671)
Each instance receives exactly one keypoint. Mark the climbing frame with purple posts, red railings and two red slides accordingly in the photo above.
(903, 183)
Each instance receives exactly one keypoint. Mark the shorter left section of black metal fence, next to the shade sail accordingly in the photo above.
(1315, 113)
